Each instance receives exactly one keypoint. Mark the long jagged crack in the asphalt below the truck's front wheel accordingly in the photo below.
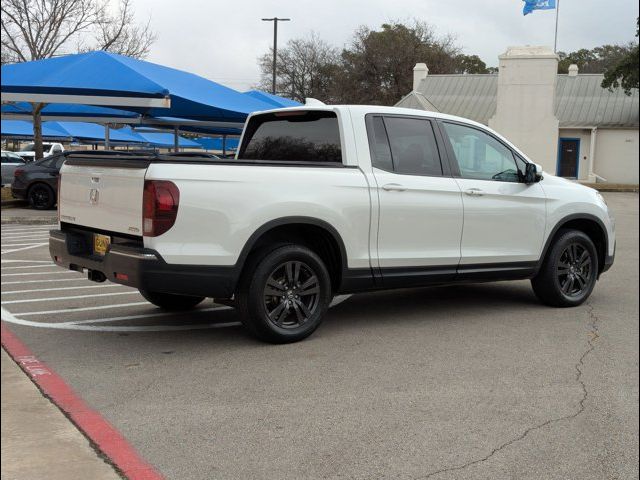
(593, 336)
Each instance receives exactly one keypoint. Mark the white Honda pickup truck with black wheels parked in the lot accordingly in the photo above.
(328, 200)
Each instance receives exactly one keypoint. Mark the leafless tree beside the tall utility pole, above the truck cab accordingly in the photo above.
(304, 68)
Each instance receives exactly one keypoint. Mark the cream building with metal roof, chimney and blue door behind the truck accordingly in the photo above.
(568, 123)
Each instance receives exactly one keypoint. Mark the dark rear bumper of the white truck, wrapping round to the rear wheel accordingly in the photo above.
(141, 268)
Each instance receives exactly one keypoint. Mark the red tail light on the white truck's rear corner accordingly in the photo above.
(159, 207)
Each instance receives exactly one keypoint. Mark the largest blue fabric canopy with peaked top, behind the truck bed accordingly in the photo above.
(105, 79)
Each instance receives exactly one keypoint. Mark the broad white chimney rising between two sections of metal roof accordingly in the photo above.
(525, 112)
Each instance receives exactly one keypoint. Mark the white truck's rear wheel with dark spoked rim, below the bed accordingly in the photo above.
(284, 294)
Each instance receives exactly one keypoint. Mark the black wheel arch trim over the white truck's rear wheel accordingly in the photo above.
(316, 234)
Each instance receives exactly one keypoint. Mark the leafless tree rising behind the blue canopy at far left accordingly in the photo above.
(38, 29)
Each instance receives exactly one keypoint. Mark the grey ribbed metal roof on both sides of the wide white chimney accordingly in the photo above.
(580, 100)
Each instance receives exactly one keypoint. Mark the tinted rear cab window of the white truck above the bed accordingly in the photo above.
(295, 136)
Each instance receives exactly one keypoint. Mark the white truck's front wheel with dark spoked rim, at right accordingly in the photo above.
(569, 272)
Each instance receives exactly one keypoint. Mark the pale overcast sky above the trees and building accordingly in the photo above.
(221, 40)
